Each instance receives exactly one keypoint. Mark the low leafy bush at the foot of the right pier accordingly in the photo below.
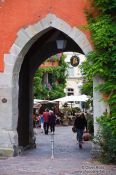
(107, 138)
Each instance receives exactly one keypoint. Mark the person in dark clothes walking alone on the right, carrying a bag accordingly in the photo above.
(80, 124)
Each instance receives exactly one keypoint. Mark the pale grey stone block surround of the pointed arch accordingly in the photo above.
(13, 61)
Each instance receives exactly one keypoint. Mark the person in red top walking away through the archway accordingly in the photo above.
(46, 121)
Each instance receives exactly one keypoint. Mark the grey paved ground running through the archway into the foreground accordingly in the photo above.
(67, 159)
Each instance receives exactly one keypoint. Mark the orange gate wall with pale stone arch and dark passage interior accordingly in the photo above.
(28, 32)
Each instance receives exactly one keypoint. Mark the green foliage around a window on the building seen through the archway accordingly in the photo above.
(58, 81)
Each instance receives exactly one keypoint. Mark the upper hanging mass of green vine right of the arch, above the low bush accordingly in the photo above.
(102, 61)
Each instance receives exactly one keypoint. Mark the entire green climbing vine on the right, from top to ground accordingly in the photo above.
(102, 62)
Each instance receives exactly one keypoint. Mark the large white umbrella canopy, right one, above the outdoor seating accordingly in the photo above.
(73, 98)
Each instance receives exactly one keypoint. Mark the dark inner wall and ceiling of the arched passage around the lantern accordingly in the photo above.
(42, 49)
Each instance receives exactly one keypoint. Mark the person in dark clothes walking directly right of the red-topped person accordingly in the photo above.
(52, 121)
